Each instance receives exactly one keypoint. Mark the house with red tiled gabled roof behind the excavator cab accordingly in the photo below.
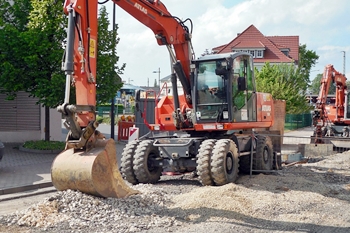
(273, 49)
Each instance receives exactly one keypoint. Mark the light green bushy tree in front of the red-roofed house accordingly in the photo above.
(284, 83)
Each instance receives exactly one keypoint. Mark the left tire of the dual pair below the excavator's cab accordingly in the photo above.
(203, 162)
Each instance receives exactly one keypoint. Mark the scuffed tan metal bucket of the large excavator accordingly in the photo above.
(94, 172)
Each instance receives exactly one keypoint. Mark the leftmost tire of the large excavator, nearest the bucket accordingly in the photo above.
(127, 164)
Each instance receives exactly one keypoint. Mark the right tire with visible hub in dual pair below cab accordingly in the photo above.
(224, 162)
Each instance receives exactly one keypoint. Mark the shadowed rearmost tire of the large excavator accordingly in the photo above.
(263, 159)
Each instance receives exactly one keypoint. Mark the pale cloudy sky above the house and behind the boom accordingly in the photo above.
(322, 25)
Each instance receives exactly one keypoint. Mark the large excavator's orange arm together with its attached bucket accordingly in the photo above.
(88, 162)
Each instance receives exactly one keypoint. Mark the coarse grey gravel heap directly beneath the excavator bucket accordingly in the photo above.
(74, 211)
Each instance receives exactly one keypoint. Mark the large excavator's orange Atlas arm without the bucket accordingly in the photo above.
(81, 53)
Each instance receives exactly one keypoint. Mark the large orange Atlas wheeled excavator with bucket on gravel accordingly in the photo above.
(214, 130)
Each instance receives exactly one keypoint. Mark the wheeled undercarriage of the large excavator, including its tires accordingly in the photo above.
(216, 161)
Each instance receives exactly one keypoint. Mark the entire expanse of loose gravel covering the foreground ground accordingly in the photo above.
(312, 197)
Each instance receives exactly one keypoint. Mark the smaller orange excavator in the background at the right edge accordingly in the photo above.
(332, 120)
